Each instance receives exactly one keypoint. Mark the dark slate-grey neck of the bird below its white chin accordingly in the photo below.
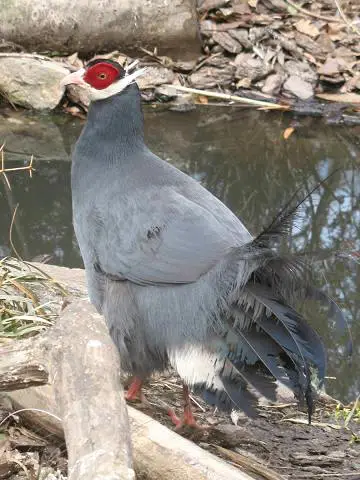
(115, 124)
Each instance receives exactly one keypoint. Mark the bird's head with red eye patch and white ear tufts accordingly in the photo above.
(103, 78)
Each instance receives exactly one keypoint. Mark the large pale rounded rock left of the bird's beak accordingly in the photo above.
(31, 81)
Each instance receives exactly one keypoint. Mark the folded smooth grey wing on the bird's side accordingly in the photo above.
(168, 239)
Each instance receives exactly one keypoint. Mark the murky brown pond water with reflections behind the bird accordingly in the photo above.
(242, 157)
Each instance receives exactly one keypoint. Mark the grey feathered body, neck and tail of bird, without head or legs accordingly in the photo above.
(178, 277)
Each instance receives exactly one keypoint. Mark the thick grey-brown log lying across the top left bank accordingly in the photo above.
(89, 26)
